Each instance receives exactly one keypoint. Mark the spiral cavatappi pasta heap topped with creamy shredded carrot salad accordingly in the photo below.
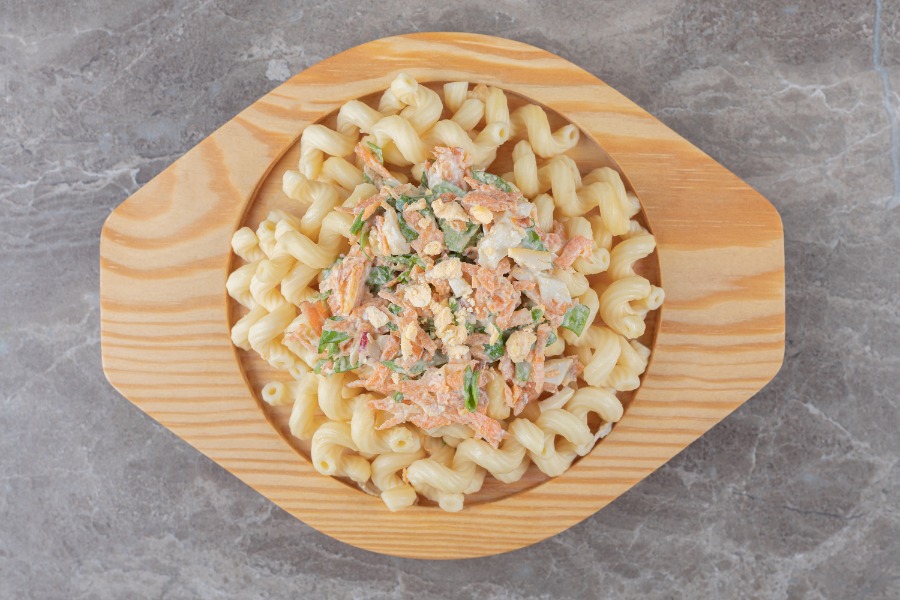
(434, 333)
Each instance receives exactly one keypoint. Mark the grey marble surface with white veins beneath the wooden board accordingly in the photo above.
(795, 495)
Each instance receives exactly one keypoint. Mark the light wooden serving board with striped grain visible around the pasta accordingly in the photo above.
(165, 318)
